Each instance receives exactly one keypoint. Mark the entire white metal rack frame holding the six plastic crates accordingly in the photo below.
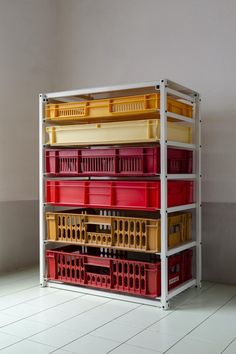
(165, 87)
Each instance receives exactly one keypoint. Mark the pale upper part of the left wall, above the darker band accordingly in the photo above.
(27, 35)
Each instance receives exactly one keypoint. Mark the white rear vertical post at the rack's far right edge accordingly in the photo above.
(198, 192)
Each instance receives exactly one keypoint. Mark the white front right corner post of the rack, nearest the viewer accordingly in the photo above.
(164, 215)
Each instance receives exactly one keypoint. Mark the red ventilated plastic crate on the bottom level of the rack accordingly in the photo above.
(109, 272)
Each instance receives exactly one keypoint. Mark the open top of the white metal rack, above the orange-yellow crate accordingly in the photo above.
(119, 90)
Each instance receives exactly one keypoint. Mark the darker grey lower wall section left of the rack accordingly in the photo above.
(19, 234)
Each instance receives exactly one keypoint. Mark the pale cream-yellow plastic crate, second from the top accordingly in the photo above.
(141, 131)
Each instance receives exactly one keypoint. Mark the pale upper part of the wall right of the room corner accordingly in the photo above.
(192, 42)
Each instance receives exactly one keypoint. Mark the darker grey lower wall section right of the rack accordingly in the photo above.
(218, 234)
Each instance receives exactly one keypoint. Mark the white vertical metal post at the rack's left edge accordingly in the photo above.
(41, 193)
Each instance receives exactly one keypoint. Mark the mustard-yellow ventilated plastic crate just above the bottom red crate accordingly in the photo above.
(128, 233)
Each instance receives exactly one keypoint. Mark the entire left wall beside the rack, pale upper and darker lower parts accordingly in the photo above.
(27, 57)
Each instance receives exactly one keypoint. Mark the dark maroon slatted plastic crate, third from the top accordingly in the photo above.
(128, 161)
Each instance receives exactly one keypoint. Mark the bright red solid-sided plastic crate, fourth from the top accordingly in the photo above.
(117, 194)
